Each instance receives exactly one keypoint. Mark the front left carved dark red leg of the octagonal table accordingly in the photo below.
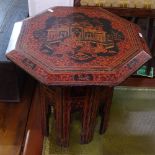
(62, 116)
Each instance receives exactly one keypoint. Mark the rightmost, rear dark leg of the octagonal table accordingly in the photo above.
(106, 109)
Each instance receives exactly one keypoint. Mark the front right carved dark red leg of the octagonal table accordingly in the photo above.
(90, 108)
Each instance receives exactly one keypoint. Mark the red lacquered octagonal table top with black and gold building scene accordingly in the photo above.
(78, 46)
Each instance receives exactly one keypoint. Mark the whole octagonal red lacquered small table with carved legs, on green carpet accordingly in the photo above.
(79, 55)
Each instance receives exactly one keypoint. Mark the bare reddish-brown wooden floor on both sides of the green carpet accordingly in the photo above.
(20, 129)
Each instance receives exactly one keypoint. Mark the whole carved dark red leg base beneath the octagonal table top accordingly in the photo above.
(61, 96)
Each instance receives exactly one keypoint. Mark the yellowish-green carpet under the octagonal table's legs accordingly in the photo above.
(131, 128)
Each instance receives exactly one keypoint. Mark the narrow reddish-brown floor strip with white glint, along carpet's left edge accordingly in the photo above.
(34, 138)
